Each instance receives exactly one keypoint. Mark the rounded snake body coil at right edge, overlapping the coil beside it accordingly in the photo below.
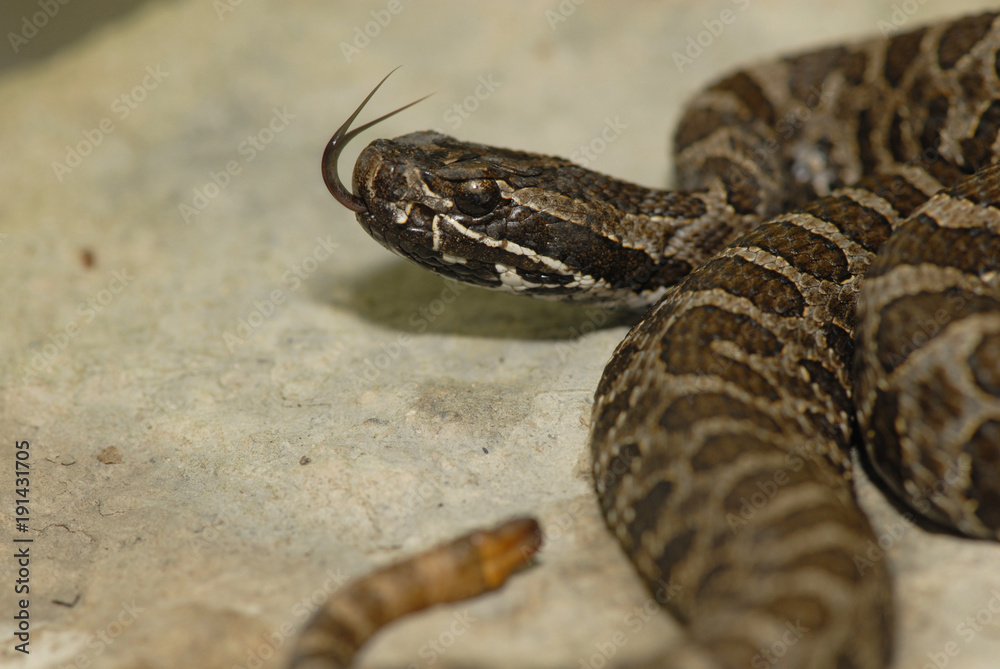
(928, 368)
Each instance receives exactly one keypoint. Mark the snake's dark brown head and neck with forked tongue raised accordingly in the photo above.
(514, 221)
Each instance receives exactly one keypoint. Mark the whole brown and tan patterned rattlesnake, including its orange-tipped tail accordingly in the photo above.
(723, 424)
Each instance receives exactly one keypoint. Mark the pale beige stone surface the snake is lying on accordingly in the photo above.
(215, 353)
